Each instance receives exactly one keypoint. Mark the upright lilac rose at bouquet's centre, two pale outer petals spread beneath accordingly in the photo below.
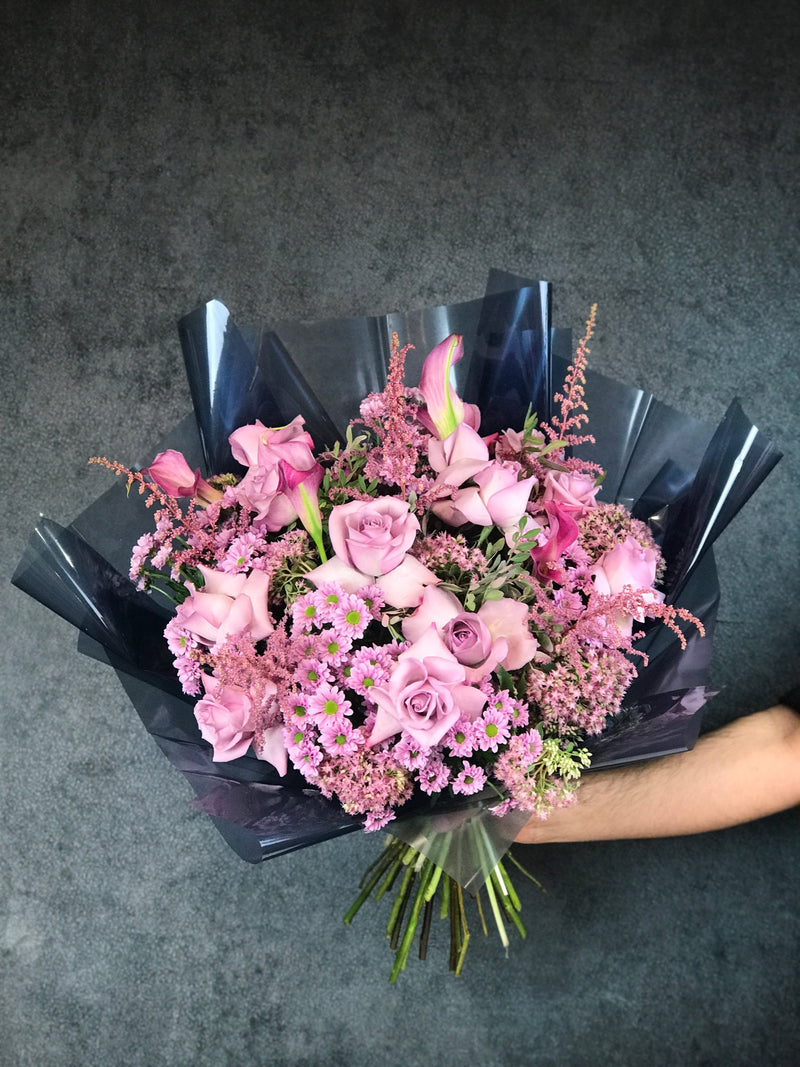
(372, 540)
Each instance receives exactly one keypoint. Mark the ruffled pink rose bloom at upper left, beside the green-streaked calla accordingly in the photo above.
(280, 461)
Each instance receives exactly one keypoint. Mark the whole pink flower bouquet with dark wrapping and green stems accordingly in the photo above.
(421, 624)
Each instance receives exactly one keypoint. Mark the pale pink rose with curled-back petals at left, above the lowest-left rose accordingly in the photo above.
(227, 606)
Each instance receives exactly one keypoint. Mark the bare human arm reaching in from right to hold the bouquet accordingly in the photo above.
(742, 772)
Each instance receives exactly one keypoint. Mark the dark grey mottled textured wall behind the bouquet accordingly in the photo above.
(311, 160)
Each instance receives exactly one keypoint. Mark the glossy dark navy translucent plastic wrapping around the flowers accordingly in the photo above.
(687, 481)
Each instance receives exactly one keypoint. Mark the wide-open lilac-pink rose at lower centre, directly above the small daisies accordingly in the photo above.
(426, 695)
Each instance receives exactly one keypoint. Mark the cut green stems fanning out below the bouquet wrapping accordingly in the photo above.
(418, 881)
